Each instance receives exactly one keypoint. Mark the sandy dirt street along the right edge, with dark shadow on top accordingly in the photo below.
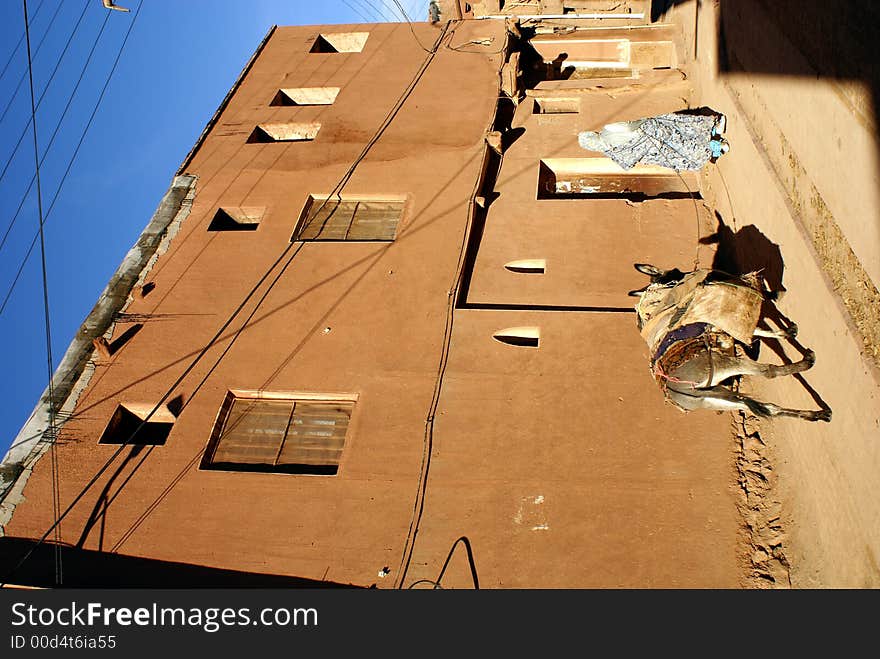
(799, 195)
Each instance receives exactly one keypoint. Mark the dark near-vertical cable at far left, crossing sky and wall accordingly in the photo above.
(46, 315)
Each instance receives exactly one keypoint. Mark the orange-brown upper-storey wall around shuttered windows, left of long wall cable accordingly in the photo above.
(365, 318)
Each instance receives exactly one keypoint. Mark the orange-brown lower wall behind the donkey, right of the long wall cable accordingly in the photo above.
(562, 463)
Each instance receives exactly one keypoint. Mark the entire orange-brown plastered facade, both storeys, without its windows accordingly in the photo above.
(563, 465)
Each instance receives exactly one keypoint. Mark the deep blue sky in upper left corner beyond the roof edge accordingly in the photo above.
(180, 59)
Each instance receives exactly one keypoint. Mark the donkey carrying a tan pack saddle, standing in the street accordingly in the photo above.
(697, 325)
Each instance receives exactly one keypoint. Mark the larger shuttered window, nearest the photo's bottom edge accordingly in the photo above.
(286, 435)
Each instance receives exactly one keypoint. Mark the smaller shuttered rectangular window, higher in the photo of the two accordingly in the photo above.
(349, 219)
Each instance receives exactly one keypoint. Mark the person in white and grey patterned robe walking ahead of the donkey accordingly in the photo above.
(678, 141)
